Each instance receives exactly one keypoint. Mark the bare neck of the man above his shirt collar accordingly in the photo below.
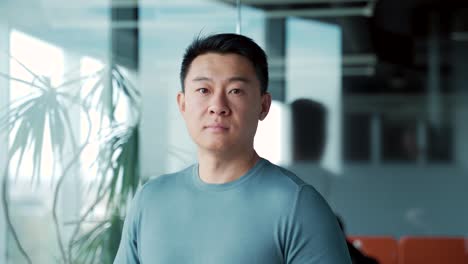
(218, 169)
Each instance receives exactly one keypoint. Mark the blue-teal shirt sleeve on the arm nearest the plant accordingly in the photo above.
(128, 248)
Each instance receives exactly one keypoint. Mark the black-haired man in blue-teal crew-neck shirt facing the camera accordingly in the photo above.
(233, 207)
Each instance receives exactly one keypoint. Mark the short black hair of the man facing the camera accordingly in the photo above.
(227, 43)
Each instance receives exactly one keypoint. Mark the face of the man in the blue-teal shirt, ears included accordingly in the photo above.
(222, 102)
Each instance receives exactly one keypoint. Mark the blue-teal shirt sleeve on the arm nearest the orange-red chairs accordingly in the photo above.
(313, 233)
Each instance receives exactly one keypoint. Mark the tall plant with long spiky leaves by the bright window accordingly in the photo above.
(47, 107)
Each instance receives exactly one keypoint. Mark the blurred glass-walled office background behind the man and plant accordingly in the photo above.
(392, 74)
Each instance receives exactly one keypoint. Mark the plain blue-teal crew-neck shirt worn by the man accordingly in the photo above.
(267, 216)
